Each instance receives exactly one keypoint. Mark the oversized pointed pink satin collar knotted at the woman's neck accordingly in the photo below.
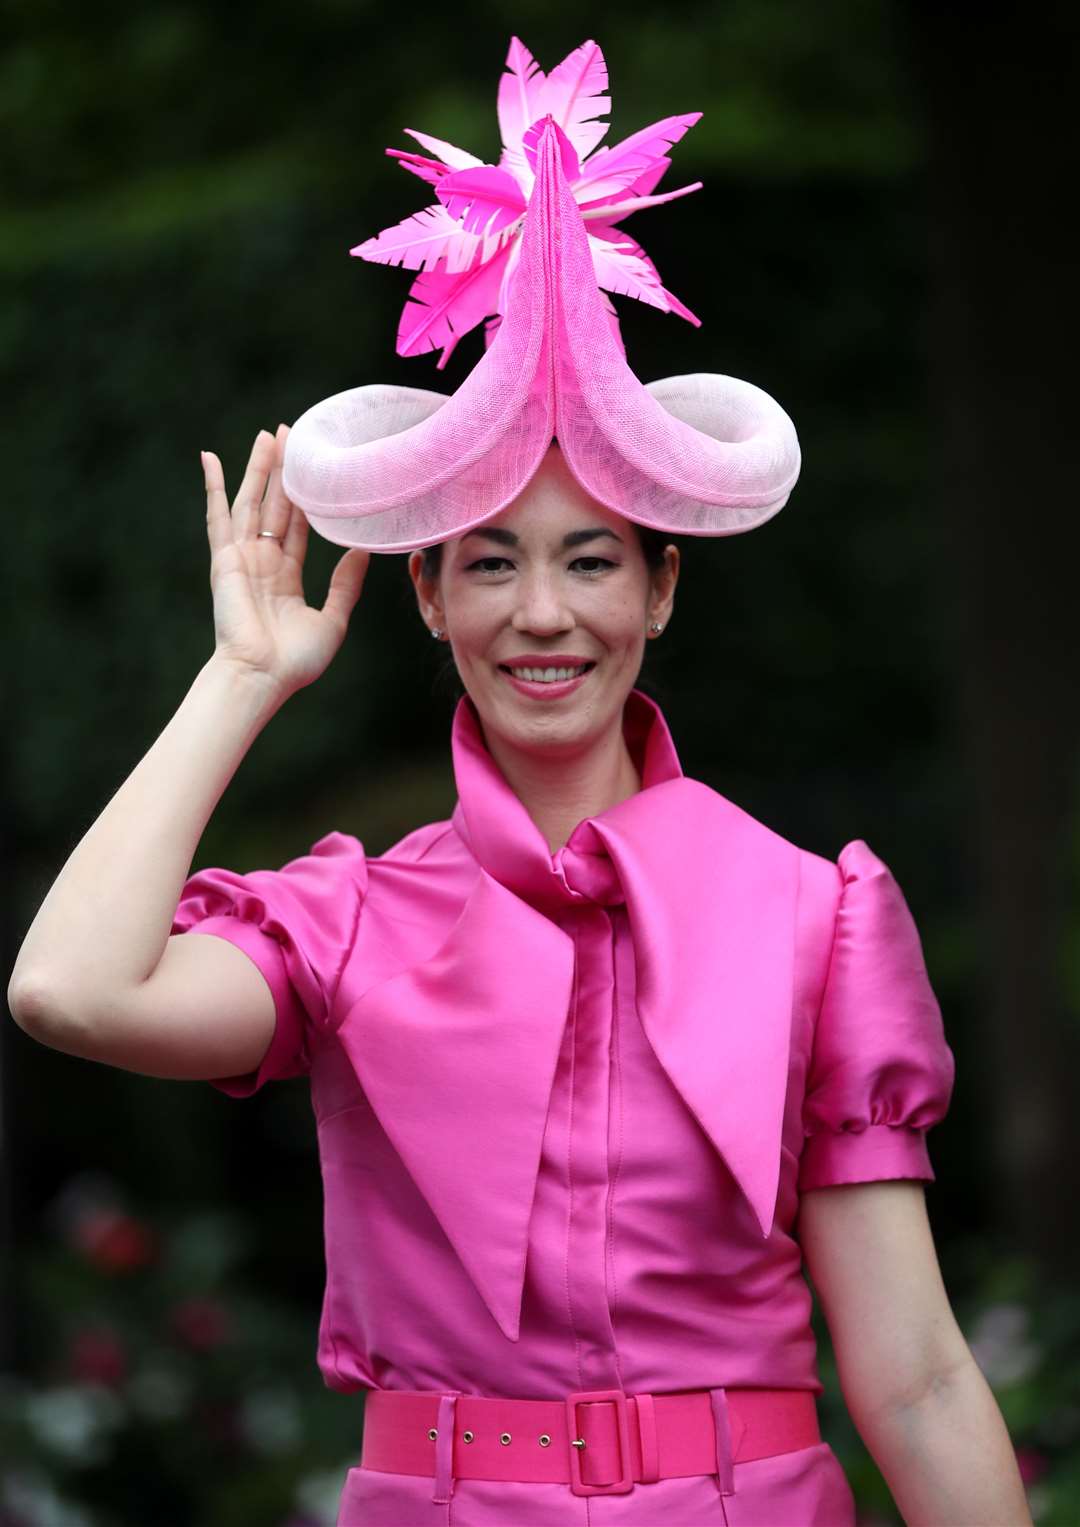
(458, 1054)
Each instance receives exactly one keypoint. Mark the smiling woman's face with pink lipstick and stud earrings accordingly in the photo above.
(555, 583)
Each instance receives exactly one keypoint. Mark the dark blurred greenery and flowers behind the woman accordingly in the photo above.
(881, 245)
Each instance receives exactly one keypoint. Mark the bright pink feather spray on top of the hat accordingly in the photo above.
(467, 245)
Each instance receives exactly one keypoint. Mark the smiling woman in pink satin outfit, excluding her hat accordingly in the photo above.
(635, 1290)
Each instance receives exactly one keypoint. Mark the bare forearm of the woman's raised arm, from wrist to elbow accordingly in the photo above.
(106, 920)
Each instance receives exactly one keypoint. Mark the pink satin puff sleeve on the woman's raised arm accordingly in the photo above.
(299, 926)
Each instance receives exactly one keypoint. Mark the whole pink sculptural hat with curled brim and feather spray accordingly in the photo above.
(528, 245)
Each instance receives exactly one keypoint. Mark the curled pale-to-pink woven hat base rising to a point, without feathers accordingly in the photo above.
(392, 468)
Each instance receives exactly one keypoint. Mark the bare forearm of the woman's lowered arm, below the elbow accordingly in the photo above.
(948, 1458)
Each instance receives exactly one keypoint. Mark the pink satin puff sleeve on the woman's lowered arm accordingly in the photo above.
(881, 1071)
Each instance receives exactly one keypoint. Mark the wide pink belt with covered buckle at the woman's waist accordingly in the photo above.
(600, 1442)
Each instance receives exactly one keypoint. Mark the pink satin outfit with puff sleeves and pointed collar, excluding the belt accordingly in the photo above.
(567, 1103)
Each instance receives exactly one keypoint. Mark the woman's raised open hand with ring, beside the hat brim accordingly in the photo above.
(262, 621)
